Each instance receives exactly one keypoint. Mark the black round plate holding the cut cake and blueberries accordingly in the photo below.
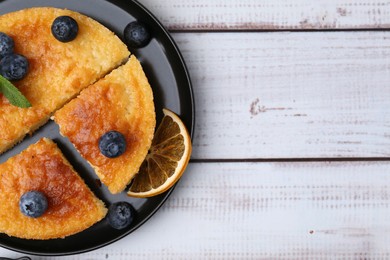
(171, 85)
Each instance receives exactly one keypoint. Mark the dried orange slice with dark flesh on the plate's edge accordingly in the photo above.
(167, 158)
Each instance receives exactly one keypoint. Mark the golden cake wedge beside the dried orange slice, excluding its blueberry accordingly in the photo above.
(122, 102)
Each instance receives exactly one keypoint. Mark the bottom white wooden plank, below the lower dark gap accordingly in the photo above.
(267, 210)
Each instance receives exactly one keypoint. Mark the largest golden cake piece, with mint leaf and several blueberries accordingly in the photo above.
(57, 71)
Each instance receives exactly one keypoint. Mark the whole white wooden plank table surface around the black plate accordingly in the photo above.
(291, 153)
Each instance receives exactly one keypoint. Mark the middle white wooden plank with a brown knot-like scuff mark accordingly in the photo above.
(290, 95)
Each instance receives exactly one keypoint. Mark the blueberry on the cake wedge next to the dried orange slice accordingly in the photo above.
(112, 144)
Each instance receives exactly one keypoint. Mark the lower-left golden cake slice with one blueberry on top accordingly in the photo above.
(72, 207)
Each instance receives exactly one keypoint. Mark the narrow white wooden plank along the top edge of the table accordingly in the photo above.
(270, 14)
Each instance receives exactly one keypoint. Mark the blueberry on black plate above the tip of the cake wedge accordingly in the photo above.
(136, 35)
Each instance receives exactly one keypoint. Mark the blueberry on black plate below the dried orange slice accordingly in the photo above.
(120, 215)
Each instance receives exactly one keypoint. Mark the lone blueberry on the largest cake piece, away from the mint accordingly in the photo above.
(64, 28)
